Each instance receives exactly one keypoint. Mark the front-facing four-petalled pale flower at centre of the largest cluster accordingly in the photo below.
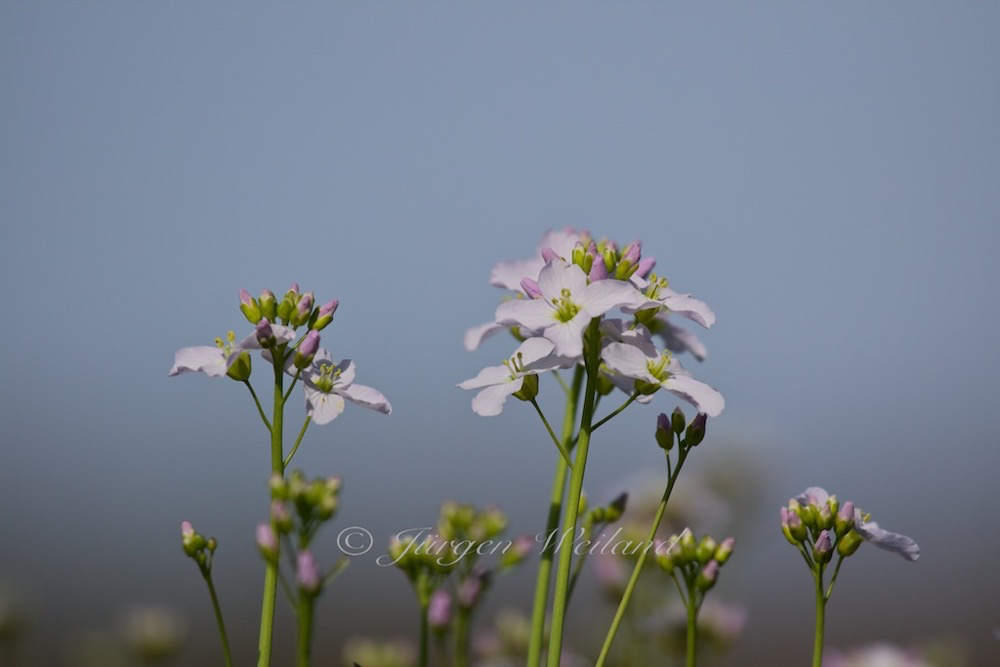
(566, 306)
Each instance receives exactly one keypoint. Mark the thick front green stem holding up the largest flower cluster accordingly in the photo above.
(592, 344)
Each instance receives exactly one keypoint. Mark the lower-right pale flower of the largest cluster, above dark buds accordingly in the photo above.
(664, 371)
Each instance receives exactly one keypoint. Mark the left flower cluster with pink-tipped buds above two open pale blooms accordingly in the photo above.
(276, 323)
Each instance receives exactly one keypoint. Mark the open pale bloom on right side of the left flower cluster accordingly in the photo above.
(327, 385)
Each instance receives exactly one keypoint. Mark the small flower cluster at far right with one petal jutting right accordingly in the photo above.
(818, 519)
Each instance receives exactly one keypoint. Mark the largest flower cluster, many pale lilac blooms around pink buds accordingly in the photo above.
(573, 281)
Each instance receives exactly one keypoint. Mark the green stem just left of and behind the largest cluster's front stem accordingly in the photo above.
(544, 578)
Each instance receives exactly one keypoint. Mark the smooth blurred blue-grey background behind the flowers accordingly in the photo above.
(826, 178)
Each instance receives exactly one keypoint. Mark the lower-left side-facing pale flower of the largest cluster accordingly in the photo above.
(532, 357)
